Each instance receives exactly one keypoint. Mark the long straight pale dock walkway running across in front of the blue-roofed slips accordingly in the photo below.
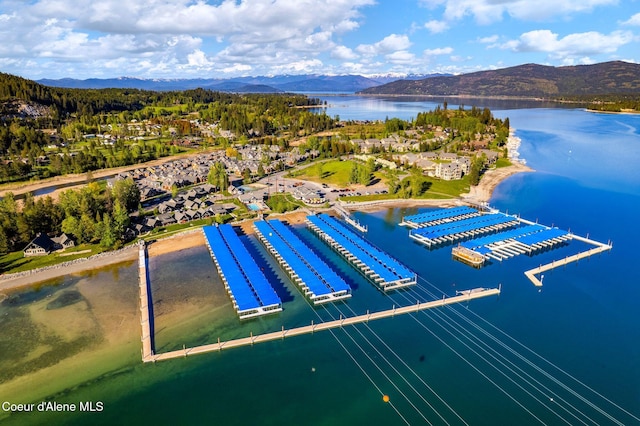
(220, 345)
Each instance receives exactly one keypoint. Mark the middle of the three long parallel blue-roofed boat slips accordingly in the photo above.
(316, 279)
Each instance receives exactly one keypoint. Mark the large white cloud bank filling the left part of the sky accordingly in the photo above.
(162, 36)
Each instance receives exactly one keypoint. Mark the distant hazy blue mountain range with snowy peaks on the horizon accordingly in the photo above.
(265, 84)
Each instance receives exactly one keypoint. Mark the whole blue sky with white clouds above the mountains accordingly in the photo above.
(222, 39)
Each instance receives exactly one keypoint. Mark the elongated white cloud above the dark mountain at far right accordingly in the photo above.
(572, 45)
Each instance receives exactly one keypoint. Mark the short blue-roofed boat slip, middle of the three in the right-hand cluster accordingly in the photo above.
(472, 227)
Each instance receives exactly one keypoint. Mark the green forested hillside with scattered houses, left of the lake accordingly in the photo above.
(49, 131)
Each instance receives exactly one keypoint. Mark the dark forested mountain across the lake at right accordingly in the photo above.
(529, 80)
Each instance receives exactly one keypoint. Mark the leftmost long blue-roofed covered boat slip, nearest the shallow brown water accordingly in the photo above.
(250, 292)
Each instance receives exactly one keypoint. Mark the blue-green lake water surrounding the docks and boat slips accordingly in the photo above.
(445, 366)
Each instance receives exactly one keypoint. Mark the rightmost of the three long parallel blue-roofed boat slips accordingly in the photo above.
(375, 264)
